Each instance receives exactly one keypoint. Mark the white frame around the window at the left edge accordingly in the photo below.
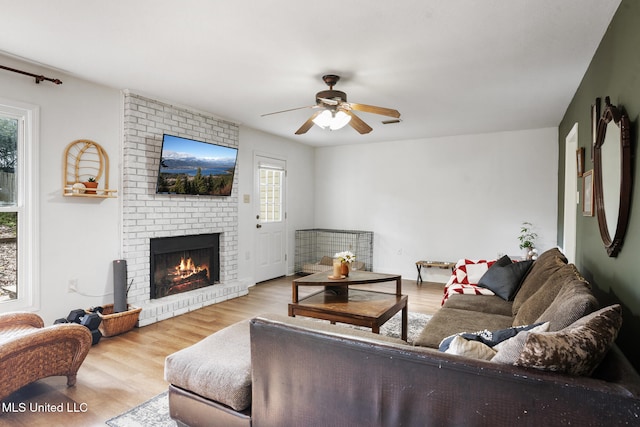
(27, 205)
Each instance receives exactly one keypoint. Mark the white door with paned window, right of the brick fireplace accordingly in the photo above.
(269, 194)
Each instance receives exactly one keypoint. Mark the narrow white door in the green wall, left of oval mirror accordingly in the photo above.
(570, 194)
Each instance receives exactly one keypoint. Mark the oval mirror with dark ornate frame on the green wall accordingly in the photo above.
(612, 176)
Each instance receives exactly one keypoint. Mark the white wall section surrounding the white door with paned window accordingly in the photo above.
(300, 197)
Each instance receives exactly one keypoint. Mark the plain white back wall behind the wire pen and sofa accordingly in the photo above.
(441, 198)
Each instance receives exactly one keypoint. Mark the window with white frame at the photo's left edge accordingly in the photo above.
(18, 228)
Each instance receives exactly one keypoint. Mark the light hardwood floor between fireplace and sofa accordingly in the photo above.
(123, 371)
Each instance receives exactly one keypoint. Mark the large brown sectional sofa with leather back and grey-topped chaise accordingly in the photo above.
(302, 372)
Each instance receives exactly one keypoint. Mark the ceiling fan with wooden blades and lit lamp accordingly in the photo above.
(334, 111)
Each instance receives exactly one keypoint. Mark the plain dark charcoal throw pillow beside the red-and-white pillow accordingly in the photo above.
(504, 277)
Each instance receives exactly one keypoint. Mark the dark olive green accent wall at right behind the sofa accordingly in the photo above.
(615, 72)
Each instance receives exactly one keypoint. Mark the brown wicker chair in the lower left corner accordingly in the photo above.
(29, 351)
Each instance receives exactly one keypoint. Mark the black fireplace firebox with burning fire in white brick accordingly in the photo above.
(184, 263)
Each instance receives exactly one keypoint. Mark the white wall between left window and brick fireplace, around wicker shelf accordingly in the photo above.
(78, 237)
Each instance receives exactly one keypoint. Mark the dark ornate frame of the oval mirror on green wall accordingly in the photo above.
(615, 114)
